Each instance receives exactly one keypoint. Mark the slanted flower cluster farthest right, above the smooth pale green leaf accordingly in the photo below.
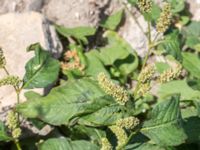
(170, 74)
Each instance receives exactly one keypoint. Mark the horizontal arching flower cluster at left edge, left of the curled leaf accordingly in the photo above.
(10, 80)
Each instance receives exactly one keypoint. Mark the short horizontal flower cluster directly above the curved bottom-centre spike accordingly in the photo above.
(128, 123)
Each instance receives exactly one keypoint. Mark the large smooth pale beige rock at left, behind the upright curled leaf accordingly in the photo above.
(17, 32)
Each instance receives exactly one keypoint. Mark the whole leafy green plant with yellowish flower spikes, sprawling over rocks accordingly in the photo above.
(95, 105)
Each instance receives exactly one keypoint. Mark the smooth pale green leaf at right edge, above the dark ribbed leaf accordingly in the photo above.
(178, 87)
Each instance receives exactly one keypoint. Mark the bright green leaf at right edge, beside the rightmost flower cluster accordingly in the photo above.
(191, 62)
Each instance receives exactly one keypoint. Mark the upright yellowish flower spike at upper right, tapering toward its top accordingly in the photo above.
(165, 18)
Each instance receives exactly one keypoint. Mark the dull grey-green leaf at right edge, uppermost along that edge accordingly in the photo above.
(192, 34)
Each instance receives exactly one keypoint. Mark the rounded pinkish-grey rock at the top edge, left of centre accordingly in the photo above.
(70, 13)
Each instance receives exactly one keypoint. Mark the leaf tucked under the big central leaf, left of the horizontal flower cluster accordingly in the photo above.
(105, 116)
